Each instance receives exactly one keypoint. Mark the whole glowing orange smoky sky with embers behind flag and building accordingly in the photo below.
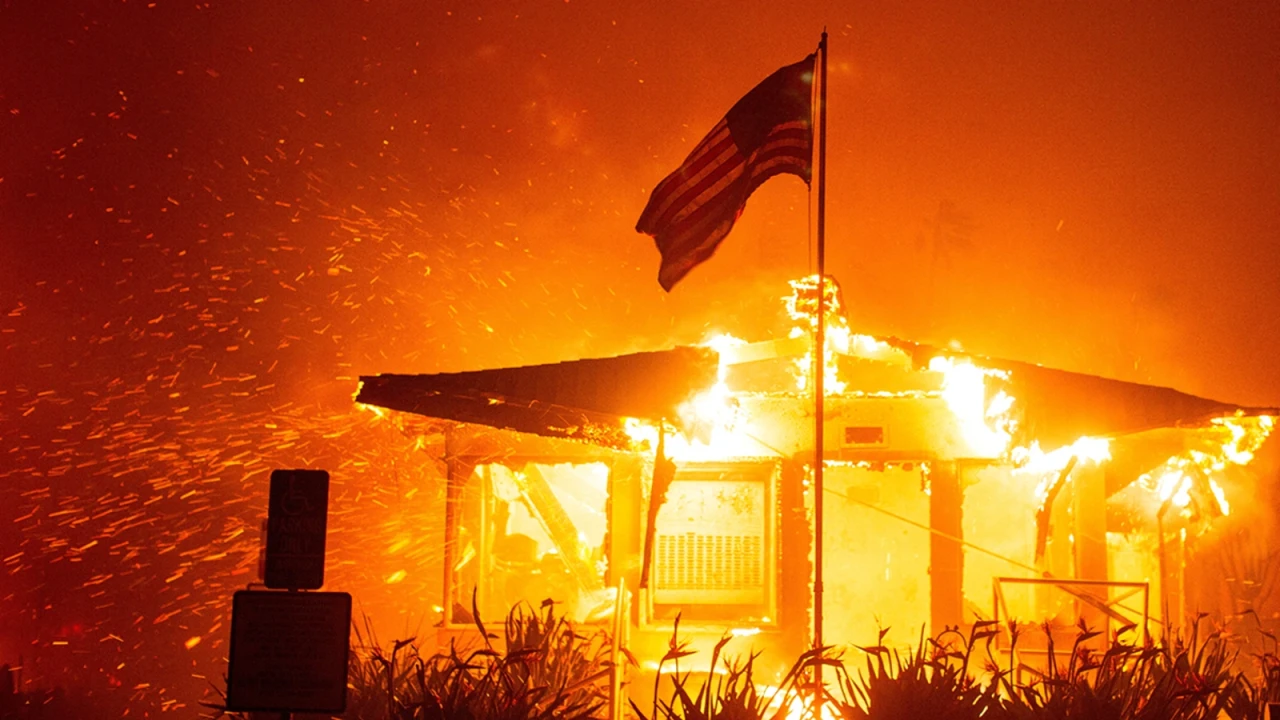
(217, 211)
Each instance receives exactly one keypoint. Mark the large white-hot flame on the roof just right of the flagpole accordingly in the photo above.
(986, 426)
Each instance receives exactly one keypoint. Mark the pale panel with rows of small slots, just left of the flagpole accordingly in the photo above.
(694, 562)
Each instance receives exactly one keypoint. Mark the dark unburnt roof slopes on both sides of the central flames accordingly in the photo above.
(586, 399)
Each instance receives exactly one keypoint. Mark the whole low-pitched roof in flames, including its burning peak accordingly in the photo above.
(735, 399)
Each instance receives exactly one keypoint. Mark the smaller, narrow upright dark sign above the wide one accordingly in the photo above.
(296, 517)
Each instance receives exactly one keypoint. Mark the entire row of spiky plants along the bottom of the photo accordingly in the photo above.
(538, 667)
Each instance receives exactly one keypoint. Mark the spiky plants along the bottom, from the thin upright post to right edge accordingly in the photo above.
(963, 677)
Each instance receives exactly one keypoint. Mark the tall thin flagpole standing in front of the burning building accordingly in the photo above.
(820, 366)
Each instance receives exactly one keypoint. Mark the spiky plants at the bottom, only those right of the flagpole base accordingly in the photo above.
(962, 677)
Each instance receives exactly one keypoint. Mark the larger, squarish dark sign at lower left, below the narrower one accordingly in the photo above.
(289, 651)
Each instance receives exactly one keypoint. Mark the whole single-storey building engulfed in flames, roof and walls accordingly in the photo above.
(647, 486)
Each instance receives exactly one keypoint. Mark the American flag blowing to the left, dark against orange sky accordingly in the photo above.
(770, 131)
